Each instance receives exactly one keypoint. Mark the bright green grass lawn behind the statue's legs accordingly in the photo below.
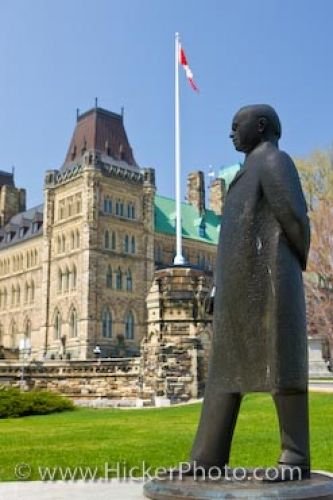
(160, 437)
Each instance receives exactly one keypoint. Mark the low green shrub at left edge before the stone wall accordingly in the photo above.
(14, 403)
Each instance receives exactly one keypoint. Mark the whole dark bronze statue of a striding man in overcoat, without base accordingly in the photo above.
(259, 341)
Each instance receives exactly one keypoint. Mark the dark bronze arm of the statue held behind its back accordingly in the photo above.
(282, 188)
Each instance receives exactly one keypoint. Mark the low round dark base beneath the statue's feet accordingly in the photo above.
(319, 486)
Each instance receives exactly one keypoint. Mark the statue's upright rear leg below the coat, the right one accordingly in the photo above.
(293, 414)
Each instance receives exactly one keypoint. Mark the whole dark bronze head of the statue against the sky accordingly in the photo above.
(255, 124)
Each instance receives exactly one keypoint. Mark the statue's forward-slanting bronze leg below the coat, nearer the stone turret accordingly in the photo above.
(217, 423)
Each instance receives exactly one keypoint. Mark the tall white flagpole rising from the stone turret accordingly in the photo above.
(179, 259)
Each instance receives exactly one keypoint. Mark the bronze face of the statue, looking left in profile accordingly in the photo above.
(245, 131)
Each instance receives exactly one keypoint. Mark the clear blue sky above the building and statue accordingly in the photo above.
(57, 55)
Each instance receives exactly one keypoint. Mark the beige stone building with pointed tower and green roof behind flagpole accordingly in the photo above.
(75, 271)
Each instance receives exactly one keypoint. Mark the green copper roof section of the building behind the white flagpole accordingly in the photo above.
(203, 228)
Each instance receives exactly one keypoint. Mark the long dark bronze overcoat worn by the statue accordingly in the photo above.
(259, 341)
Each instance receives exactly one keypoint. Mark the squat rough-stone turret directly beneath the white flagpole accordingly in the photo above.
(175, 348)
